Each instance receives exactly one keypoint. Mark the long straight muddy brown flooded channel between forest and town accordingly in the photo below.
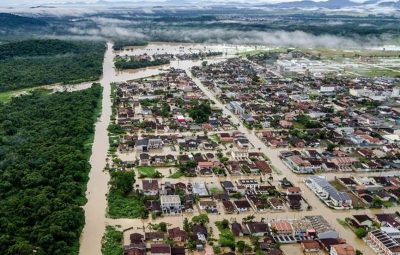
(97, 187)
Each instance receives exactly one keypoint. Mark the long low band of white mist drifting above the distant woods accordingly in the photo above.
(109, 28)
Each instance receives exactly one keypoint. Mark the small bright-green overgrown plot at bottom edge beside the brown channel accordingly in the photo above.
(112, 241)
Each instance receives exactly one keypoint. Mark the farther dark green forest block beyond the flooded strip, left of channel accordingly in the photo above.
(33, 63)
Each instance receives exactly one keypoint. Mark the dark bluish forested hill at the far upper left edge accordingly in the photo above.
(11, 21)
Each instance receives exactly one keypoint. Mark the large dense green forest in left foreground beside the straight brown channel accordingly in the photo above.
(44, 153)
